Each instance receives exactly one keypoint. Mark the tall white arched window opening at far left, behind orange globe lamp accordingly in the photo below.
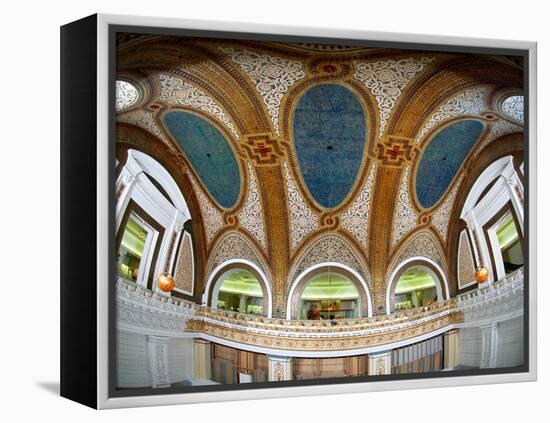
(153, 226)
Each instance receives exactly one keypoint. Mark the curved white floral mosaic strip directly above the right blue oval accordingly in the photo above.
(469, 102)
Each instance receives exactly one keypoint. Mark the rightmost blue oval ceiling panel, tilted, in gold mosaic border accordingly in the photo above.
(442, 158)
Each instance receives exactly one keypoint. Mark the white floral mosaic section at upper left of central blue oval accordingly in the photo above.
(271, 75)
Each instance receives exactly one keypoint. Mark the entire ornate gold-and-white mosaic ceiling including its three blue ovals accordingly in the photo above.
(284, 145)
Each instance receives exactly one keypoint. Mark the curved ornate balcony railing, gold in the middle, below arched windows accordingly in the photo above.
(143, 310)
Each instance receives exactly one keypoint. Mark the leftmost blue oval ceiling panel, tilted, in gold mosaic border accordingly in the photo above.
(209, 153)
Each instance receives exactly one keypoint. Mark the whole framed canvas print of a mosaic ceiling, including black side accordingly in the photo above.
(263, 211)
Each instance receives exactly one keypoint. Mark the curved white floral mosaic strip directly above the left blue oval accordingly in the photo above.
(176, 91)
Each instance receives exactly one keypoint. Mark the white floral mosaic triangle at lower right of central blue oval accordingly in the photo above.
(356, 218)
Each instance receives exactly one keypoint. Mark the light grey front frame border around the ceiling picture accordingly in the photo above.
(103, 400)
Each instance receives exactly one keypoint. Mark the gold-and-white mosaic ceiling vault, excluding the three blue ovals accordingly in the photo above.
(250, 91)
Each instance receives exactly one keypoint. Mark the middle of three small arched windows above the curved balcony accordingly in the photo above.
(329, 296)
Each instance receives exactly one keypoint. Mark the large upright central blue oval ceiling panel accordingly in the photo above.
(329, 137)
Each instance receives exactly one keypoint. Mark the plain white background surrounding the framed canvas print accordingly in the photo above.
(29, 173)
